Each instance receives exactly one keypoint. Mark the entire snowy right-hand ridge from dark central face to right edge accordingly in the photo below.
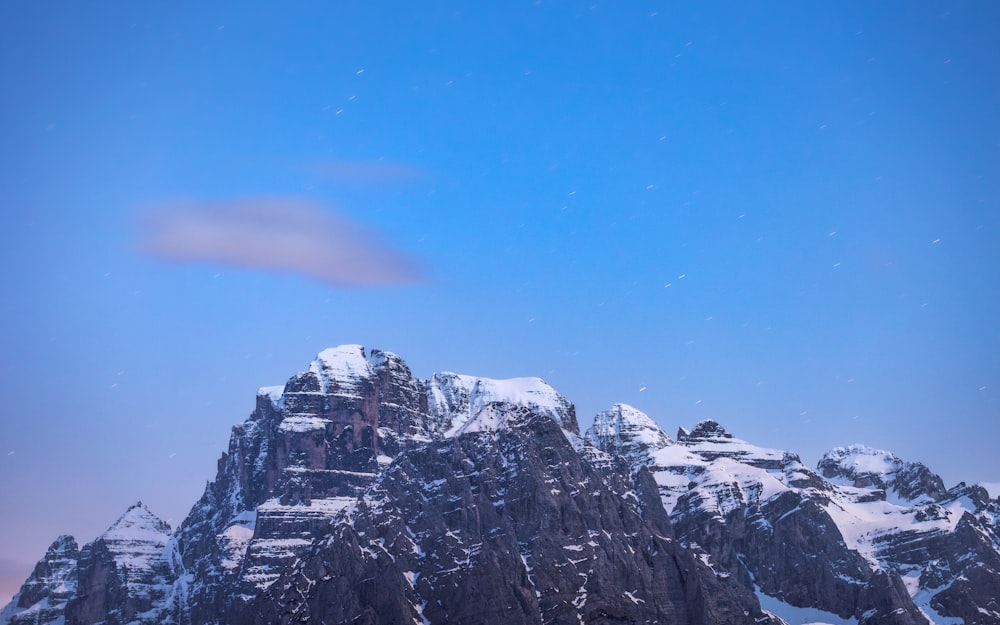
(868, 539)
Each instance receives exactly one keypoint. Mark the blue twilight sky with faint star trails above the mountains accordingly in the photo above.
(780, 215)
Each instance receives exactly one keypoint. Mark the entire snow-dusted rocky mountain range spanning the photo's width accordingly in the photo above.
(358, 493)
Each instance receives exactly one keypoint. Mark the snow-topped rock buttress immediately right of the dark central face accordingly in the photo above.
(759, 516)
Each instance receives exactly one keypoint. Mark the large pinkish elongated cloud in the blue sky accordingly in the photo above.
(276, 233)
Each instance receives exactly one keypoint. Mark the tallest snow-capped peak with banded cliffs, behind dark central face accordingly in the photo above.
(309, 450)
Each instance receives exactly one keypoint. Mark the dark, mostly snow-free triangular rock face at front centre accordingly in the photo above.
(505, 525)
